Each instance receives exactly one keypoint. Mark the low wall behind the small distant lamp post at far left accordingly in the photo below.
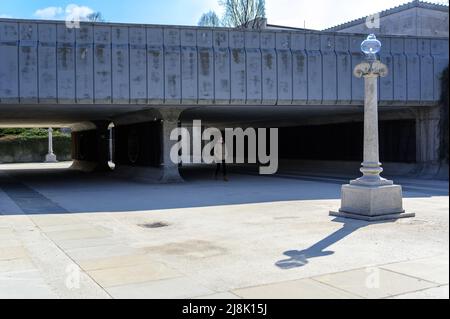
(33, 149)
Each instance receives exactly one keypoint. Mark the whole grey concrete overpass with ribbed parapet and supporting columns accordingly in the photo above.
(147, 80)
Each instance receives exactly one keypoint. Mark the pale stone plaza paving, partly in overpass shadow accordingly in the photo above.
(66, 234)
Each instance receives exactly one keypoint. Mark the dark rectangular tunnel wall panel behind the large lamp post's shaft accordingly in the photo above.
(344, 142)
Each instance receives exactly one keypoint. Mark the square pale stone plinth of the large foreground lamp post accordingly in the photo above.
(372, 203)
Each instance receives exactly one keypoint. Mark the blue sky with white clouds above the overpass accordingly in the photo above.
(314, 14)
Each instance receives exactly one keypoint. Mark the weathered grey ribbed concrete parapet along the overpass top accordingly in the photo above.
(45, 62)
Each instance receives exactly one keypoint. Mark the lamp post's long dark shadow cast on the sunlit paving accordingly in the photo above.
(299, 258)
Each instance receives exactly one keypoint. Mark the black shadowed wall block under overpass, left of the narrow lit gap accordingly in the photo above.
(90, 150)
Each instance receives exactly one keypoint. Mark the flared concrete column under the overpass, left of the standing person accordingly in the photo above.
(170, 173)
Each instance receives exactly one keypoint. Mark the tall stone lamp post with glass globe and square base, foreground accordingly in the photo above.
(371, 197)
